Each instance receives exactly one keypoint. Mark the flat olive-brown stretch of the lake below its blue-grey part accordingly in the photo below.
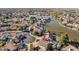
(73, 35)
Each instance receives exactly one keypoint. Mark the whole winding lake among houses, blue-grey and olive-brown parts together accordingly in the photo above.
(54, 26)
